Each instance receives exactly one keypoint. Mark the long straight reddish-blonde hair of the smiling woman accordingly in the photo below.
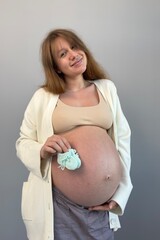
(54, 81)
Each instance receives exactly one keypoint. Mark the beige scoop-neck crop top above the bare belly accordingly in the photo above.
(66, 117)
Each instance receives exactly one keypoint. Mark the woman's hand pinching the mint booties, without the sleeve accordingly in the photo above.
(53, 145)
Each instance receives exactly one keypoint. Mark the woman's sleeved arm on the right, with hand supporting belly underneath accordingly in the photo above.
(121, 134)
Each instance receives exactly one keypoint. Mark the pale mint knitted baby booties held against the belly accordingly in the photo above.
(69, 160)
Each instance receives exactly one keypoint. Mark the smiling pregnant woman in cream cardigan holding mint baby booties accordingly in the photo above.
(75, 141)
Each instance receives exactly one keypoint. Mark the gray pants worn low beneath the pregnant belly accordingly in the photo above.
(74, 222)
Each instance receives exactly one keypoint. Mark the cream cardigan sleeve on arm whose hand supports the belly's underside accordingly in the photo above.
(122, 136)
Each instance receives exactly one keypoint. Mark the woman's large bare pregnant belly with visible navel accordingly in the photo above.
(100, 173)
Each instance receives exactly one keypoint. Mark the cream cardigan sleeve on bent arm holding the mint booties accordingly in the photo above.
(28, 145)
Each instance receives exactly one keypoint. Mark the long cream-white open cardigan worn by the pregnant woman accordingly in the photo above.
(37, 204)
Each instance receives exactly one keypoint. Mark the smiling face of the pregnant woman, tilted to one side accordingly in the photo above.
(70, 60)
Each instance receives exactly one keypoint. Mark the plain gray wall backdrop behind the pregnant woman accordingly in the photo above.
(124, 36)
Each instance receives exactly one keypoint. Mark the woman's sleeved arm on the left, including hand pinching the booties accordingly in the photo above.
(37, 143)
